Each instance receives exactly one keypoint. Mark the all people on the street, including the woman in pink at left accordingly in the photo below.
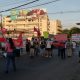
(37, 47)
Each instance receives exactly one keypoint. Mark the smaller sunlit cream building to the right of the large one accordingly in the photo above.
(55, 27)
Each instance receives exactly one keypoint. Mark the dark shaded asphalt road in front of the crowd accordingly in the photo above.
(40, 68)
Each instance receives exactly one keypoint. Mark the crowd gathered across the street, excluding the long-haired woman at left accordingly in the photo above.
(45, 47)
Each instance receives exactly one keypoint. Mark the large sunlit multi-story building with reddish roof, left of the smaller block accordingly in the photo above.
(36, 18)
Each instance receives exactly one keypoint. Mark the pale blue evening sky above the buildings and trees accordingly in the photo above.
(67, 19)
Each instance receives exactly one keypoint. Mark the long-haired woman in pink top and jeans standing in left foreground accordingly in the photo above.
(9, 47)
